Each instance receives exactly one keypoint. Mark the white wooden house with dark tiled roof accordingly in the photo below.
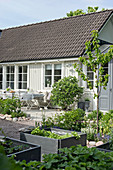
(35, 56)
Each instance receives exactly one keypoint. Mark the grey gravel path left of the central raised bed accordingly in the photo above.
(11, 129)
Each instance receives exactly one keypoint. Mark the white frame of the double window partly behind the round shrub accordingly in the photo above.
(52, 75)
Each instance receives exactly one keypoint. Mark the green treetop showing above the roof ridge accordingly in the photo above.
(80, 11)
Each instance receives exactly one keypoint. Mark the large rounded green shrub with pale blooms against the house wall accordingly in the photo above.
(65, 92)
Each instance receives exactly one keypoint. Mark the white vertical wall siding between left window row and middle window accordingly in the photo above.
(35, 76)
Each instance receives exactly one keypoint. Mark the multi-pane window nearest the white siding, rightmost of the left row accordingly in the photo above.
(22, 77)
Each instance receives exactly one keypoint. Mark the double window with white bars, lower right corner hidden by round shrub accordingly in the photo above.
(52, 74)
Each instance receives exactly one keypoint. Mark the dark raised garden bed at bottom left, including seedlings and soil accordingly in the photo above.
(28, 151)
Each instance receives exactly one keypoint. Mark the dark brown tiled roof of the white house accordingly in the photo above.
(53, 39)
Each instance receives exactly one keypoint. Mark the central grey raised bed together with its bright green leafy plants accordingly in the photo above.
(55, 140)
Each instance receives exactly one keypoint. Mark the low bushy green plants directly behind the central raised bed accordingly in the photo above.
(68, 120)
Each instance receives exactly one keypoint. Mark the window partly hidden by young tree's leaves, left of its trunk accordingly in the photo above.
(90, 75)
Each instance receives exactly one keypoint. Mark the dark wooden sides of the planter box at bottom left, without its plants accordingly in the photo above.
(33, 152)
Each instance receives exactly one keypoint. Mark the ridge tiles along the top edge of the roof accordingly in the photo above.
(65, 18)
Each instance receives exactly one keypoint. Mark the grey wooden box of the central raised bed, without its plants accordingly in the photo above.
(49, 145)
